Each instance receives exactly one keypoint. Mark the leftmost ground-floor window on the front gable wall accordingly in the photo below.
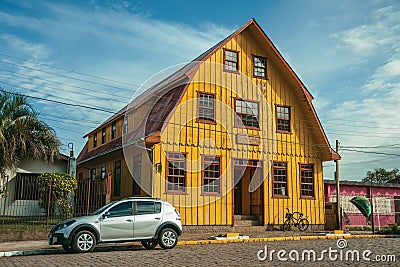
(176, 172)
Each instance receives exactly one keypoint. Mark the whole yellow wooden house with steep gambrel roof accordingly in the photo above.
(233, 132)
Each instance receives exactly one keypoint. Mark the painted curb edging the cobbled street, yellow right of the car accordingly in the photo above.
(207, 242)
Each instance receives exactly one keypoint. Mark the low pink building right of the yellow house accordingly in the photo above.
(386, 201)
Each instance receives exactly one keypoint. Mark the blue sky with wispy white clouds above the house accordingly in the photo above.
(98, 53)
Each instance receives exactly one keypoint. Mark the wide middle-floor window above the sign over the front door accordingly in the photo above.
(247, 111)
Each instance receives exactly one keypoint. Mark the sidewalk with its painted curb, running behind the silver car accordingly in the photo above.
(39, 247)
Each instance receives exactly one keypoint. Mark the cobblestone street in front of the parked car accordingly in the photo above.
(354, 252)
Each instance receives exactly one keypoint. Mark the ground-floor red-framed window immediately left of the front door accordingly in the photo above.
(211, 175)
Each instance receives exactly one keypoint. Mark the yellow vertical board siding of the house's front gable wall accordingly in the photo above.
(184, 134)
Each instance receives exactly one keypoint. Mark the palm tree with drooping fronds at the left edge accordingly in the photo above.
(22, 133)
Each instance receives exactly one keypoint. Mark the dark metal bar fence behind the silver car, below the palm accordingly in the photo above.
(24, 209)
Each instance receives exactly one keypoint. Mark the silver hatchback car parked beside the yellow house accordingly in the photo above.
(148, 220)
